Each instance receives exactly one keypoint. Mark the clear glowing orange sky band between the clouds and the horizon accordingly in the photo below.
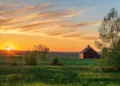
(24, 42)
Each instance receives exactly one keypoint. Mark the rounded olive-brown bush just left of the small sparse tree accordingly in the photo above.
(30, 58)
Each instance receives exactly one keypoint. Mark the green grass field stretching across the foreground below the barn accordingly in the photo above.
(74, 72)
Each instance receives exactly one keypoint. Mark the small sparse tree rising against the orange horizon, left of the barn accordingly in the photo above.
(42, 50)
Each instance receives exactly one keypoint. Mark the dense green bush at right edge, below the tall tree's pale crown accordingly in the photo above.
(111, 57)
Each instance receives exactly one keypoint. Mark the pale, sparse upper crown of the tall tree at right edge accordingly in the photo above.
(109, 30)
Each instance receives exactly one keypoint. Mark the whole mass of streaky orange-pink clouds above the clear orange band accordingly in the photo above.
(41, 19)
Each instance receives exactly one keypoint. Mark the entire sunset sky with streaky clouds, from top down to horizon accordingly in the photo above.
(62, 25)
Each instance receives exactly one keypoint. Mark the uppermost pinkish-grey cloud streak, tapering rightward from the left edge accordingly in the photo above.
(20, 11)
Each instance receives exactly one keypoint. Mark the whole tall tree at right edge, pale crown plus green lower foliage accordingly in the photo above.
(109, 39)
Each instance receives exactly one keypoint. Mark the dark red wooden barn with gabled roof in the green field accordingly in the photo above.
(88, 53)
